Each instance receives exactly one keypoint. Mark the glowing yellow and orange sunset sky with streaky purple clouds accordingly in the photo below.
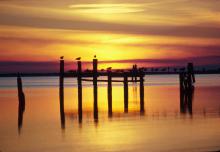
(153, 31)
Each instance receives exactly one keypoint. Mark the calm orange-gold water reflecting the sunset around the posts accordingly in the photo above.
(163, 127)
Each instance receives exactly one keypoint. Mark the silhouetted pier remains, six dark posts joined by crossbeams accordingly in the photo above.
(127, 76)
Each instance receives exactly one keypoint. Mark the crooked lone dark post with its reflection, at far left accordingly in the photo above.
(21, 105)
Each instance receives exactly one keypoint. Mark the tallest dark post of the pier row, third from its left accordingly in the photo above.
(95, 89)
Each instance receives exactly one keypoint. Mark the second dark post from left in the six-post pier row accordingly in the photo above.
(79, 80)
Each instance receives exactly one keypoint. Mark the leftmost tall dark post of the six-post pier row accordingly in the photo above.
(61, 91)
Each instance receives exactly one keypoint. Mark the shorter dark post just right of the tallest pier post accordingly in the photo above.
(109, 93)
